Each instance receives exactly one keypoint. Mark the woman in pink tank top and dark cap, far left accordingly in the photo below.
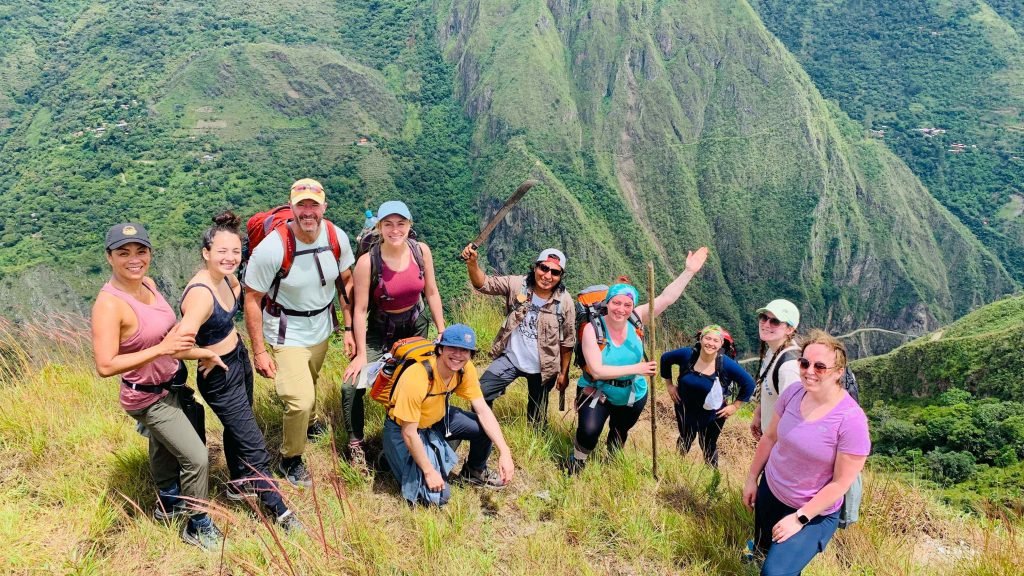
(135, 336)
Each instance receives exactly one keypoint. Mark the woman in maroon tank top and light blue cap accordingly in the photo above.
(390, 279)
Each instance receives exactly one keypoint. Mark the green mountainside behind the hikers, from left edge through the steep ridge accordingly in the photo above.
(657, 128)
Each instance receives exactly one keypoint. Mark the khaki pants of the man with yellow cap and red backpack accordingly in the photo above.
(298, 371)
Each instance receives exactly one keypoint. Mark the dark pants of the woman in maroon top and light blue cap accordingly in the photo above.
(378, 344)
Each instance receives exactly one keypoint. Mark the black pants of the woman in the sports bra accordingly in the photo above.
(230, 395)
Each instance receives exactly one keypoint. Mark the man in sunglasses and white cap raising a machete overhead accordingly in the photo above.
(537, 340)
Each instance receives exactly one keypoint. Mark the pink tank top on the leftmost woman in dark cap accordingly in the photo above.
(155, 321)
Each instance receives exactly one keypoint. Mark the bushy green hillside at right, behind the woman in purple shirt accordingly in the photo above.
(947, 408)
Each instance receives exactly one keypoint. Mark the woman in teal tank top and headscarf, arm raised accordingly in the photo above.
(614, 388)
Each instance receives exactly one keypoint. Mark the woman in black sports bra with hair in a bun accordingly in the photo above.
(208, 307)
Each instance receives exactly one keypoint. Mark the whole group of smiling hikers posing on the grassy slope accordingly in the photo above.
(302, 271)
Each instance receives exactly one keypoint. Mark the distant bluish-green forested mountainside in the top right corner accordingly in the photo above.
(903, 68)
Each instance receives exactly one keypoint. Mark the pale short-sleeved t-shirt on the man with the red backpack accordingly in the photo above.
(302, 290)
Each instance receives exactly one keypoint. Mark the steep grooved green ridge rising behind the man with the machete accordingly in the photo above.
(698, 128)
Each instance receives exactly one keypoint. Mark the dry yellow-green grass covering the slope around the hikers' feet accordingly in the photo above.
(76, 498)
